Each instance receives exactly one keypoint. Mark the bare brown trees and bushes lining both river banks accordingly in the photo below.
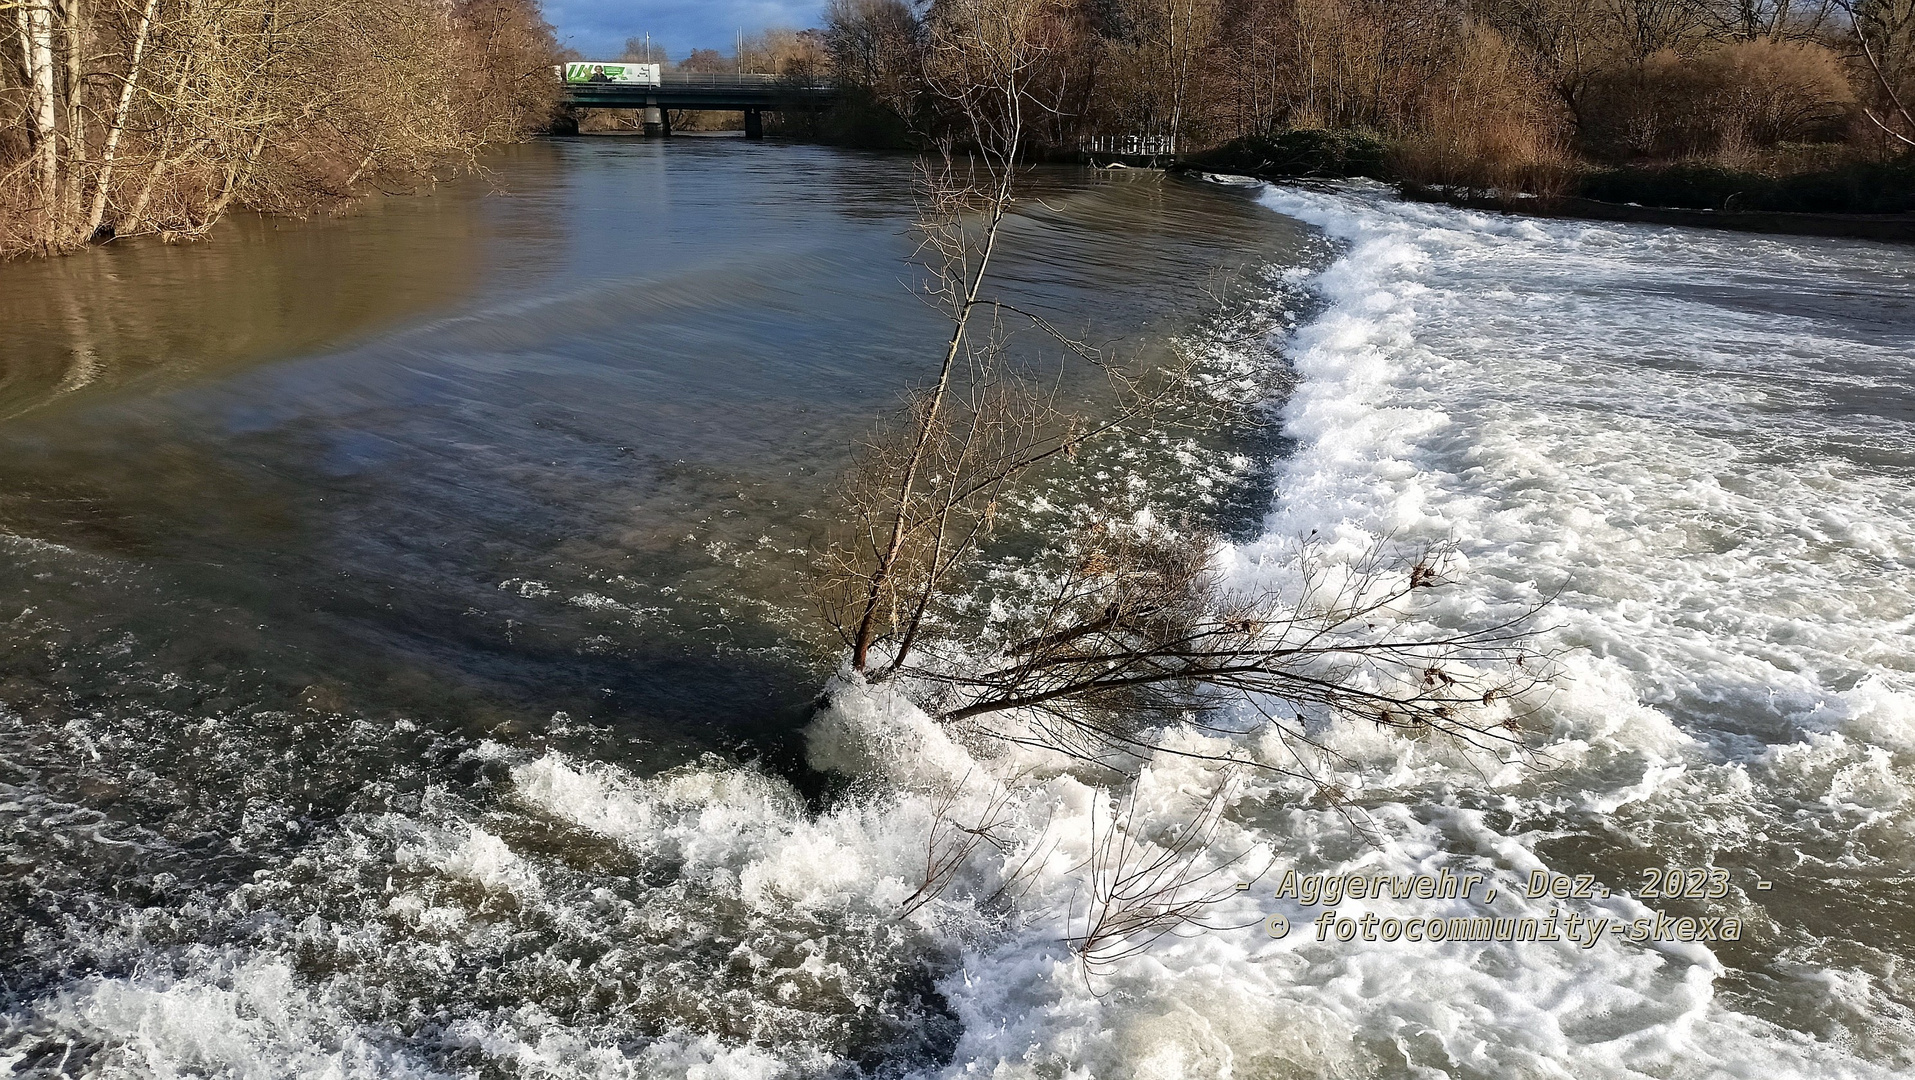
(124, 118)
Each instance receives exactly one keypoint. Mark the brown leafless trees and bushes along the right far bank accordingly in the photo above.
(1460, 91)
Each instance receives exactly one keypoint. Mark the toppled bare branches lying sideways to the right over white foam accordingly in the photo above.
(1137, 629)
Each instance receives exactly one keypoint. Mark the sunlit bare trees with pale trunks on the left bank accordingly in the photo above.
(125, 118)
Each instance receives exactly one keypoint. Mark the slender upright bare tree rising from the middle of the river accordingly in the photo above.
(924, 501)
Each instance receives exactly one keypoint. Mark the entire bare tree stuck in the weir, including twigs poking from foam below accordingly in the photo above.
(1121, 641)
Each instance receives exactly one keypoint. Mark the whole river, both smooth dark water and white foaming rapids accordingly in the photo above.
(405, 652)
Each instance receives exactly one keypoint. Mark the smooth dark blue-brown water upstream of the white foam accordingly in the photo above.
(302, 516)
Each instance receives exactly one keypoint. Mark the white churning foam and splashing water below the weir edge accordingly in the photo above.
(1700, 445)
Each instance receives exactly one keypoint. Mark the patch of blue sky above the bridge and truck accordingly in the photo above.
(598, 28)
